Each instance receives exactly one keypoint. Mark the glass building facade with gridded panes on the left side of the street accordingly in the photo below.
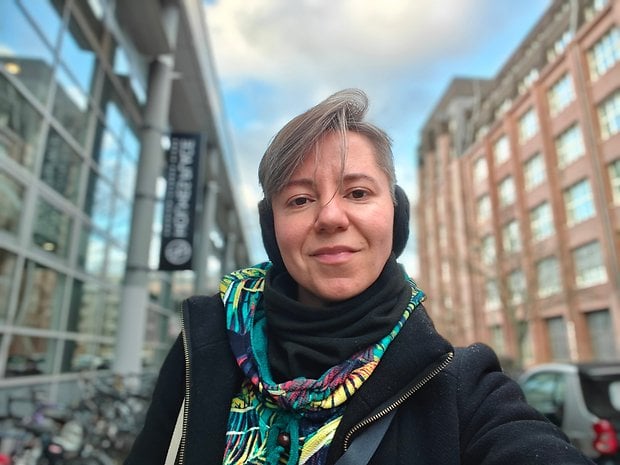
(73, 91)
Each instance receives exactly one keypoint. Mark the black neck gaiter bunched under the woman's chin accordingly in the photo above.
(305, 341)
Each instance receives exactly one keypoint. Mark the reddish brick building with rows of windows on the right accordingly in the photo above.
(518, 216)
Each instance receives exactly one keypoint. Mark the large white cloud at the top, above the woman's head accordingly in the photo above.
(321, 40)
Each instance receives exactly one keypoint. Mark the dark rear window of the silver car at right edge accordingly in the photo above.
(602, 394)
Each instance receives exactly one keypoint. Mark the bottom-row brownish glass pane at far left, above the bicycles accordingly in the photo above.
(30, 355)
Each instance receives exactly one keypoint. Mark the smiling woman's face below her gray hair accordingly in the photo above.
(334, 227)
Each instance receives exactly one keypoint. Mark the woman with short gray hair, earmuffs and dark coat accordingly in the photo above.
(298, 357)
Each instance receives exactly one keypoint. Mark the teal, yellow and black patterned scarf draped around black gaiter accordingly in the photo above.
(307, 411)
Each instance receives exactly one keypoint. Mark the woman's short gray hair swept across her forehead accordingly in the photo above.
(341, 112)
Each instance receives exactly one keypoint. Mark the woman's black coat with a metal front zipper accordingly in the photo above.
(463, 408)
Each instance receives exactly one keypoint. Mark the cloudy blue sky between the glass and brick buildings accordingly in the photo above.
(277, 58)
